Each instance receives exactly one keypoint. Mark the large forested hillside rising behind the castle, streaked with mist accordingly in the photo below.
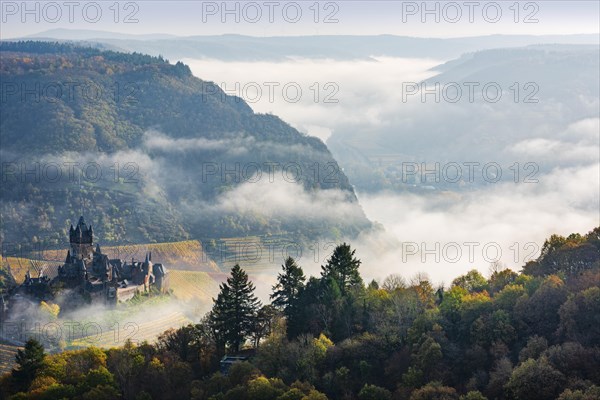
(145, 149)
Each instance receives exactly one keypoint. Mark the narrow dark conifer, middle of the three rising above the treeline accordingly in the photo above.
(289, 285)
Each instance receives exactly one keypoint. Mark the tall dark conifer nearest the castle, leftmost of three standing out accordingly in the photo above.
(234, 310)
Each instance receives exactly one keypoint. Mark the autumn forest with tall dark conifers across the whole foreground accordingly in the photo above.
(523, 336)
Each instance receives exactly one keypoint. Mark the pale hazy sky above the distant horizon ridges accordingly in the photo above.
(273, 18)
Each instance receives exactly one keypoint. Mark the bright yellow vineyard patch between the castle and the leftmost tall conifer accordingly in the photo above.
(192, 285)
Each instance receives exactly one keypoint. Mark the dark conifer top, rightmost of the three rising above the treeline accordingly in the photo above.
(342, 268)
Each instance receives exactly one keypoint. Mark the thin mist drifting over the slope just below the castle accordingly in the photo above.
(98, 324)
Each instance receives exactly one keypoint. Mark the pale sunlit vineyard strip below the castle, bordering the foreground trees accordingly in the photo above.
(117, 334)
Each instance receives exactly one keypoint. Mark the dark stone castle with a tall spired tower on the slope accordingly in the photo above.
(91, 274)
